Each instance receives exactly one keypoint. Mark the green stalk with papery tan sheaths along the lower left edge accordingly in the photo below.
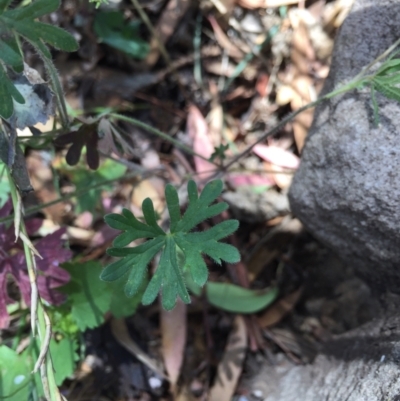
(47, 370)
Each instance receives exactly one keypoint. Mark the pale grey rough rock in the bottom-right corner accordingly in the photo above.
(362, 365)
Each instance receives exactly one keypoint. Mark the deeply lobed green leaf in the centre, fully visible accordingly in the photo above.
(168, 277)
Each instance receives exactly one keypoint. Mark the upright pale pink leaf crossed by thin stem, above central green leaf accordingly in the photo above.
(198, 131)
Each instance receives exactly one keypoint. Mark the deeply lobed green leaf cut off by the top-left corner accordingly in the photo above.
(22, 23)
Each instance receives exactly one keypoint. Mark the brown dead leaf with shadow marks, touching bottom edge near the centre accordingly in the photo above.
(230, 368)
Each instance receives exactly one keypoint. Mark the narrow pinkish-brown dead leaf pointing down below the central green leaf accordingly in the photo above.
(173, 329)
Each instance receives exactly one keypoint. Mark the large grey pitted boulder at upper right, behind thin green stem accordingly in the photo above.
(347, 191)
